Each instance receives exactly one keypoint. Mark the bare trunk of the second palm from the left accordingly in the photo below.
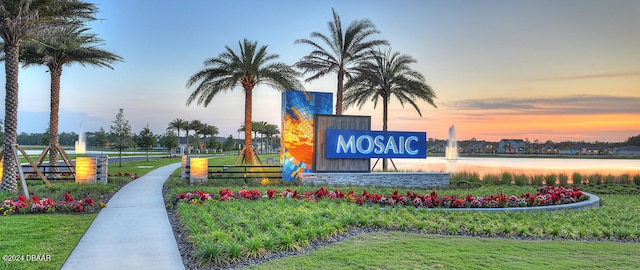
(56, 73)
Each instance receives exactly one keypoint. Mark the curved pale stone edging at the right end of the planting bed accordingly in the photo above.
(592, 202)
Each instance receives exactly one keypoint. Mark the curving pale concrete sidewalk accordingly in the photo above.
(132, 232)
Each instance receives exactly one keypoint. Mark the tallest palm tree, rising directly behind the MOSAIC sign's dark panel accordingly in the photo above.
(343, 52)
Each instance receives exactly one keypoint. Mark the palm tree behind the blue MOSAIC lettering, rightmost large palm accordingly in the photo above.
(386, 75)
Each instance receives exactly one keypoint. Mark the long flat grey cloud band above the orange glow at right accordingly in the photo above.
(580, 104)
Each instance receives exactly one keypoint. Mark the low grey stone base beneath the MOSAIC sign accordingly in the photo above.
(378, 179)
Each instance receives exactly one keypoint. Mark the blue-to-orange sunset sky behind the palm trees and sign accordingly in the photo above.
(540, 70)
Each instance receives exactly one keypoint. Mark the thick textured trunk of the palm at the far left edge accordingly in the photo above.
(11, 50)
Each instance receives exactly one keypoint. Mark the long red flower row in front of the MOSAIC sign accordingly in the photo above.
(546, 195)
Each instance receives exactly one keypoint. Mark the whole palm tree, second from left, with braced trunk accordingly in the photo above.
(67, 45)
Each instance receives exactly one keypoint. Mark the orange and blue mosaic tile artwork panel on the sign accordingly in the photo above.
(298, 109)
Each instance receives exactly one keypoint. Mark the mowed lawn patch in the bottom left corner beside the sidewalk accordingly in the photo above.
(54, 235)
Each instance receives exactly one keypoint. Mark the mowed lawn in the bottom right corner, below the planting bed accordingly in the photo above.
(399, 250)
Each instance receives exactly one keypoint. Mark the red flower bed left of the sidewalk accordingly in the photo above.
(70, 205)
